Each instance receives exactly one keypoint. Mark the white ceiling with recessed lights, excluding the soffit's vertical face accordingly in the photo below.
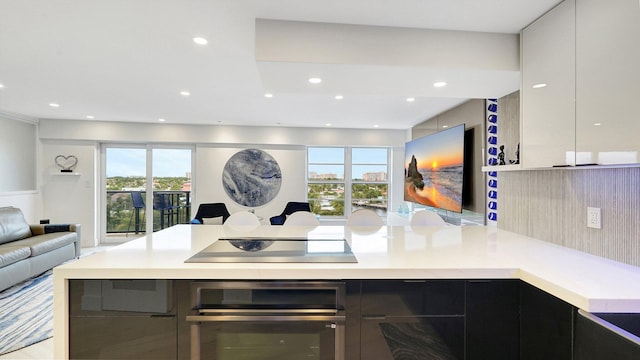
(128, 60)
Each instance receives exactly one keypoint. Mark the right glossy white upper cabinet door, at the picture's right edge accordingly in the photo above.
(608, 81)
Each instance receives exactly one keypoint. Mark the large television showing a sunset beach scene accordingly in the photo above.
(434, 169)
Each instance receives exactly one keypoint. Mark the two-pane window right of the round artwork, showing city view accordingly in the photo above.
(343, 179)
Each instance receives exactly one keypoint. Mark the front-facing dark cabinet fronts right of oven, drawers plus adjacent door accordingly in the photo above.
(440, 319)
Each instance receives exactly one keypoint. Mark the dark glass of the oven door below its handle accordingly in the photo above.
(267, 340)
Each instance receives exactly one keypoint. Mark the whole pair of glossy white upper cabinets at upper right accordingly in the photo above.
(587, 53)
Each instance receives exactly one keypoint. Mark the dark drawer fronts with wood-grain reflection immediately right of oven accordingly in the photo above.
(412, 319)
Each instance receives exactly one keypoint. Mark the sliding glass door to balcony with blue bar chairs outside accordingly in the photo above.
(146, 187)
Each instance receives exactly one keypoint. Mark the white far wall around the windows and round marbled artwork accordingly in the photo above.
(75, 198)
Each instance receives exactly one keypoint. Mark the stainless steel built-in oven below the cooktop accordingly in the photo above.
(246, 320)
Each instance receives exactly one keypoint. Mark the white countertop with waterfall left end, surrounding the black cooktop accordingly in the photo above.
(584, 281)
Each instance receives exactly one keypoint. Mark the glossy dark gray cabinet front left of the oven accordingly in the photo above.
(122, 319)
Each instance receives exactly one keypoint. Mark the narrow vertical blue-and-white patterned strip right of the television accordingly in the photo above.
(491, 125)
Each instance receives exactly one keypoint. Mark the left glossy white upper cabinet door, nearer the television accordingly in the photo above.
(548, 89)
